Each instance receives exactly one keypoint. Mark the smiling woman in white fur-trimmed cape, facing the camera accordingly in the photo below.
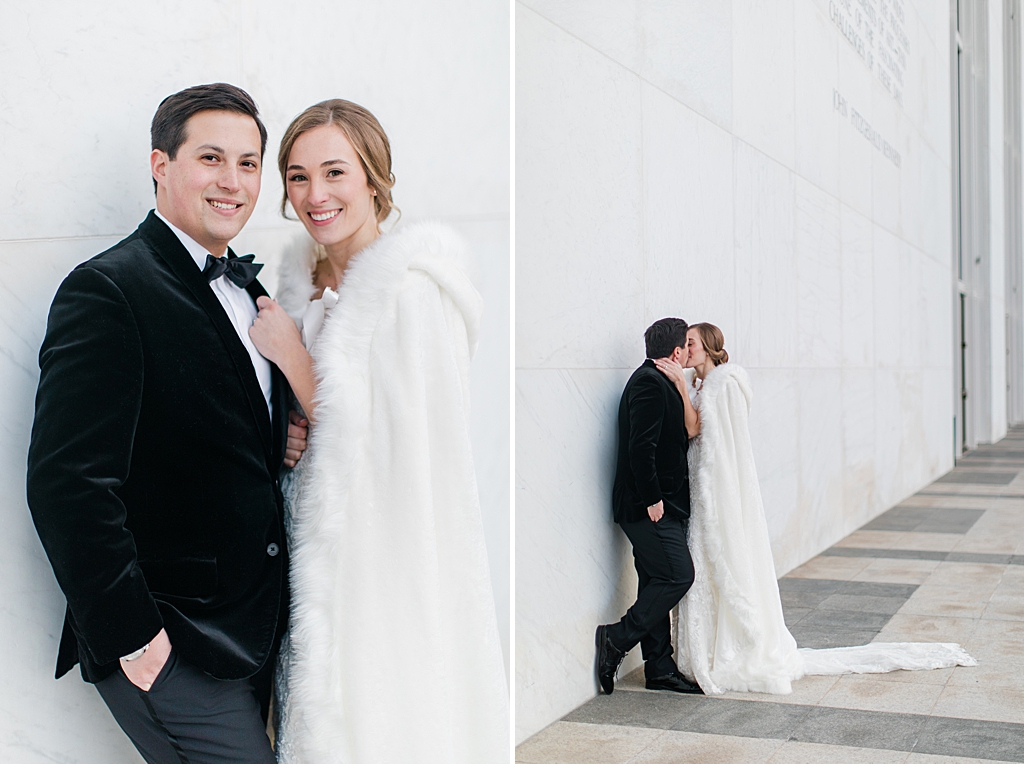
(393, 654)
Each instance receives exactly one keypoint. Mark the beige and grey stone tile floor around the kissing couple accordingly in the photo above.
(947, 565)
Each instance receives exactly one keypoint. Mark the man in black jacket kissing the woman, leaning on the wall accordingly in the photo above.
(652, 503)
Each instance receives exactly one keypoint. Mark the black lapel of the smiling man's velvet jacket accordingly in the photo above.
(169, 249)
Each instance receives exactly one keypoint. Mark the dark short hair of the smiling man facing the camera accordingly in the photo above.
(168, 130)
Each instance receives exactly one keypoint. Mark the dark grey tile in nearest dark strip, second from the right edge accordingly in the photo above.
(860, 729)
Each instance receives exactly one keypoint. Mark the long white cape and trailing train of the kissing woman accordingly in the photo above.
(731, 631)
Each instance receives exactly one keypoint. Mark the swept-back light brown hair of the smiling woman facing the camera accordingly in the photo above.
(367, 138)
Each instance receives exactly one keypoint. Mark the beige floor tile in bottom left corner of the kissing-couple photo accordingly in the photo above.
(568, 743)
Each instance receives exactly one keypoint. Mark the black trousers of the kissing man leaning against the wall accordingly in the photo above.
(666, 572)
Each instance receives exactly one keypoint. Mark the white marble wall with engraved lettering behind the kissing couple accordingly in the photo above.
(688, 159)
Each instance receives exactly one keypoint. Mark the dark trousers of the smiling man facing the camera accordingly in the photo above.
(188, 717)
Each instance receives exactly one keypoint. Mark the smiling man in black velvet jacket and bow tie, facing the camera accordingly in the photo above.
(156, 449)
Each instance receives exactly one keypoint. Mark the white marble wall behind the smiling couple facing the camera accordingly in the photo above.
(79, 89)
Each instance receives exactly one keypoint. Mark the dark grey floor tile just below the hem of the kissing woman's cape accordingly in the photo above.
(745, 718)
